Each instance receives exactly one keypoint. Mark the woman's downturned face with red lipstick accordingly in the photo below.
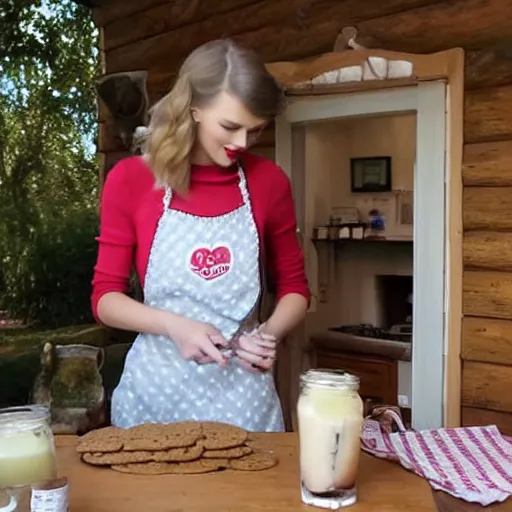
(224, 128)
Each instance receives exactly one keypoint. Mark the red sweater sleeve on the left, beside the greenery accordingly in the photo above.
(117, 240)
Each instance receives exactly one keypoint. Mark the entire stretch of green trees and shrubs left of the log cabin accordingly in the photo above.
(48, 170)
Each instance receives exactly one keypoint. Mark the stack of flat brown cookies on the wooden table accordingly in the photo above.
(175, 448)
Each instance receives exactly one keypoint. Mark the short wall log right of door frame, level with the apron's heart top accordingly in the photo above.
(487, 250)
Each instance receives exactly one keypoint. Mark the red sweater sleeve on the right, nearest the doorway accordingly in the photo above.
(285, 258)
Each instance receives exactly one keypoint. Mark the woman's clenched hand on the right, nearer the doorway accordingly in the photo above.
(256, 351)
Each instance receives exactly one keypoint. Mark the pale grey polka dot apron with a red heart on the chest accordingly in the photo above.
(207, 269)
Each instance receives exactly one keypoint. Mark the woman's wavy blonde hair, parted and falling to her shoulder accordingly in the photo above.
(214, 67)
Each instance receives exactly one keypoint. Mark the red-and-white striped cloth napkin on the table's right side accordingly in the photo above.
(471, 463)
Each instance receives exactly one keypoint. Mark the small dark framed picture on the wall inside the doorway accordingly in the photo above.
(371, 174)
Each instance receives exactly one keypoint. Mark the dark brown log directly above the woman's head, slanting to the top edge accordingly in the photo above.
(276, 30)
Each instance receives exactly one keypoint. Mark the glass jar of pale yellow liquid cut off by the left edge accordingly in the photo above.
(27, 447)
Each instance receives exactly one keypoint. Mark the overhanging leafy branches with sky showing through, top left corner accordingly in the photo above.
(49, 47)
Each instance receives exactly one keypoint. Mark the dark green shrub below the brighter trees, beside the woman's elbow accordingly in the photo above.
(54, 274)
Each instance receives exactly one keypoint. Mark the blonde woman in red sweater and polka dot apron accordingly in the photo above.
(200, 217)
